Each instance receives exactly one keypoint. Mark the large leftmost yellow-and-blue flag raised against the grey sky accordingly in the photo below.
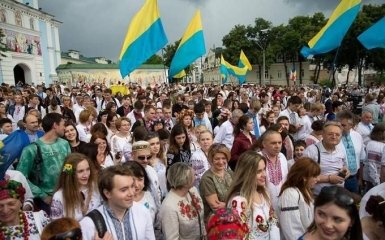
(145, 36)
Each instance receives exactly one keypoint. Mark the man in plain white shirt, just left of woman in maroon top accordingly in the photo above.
(225, 133)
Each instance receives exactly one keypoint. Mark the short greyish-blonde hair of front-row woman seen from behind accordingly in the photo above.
(180, 175)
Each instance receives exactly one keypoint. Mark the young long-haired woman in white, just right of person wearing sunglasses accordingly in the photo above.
(157, 160)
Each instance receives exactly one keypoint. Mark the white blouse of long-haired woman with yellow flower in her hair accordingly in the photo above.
(57, 205)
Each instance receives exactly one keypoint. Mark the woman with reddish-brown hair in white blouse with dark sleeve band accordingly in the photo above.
(295, 203)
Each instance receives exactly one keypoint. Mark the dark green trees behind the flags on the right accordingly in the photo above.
(286, 41)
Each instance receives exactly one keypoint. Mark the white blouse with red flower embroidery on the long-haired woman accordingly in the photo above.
(261, 221)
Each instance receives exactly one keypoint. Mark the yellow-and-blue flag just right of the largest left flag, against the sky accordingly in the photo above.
(191, 47)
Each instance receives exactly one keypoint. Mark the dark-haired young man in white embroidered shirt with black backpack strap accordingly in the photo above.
(123, 218)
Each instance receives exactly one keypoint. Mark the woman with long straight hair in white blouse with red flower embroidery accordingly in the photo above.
(249, 197)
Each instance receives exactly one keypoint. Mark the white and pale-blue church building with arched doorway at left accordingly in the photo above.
(31, 37)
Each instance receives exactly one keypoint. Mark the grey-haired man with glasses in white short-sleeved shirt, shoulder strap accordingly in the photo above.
(332, 159)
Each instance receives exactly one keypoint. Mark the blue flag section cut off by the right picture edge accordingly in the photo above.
(374, 37)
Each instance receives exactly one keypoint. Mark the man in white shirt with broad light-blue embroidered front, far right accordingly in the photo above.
(353, 146)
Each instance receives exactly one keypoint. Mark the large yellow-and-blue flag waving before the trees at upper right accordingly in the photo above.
(332, 34)
